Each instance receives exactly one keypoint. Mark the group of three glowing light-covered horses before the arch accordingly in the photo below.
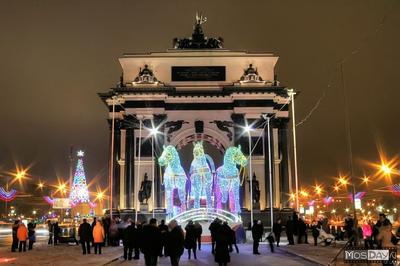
(219, 188)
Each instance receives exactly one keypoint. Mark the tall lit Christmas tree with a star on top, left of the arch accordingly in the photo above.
(79, 192)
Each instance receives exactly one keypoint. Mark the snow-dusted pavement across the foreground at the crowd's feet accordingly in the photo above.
(71, 255)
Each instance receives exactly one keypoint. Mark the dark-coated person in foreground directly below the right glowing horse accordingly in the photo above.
(222, 241)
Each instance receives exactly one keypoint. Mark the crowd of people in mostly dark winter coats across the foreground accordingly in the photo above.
(155, 240)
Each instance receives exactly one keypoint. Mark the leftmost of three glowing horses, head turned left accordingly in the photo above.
(174, 178)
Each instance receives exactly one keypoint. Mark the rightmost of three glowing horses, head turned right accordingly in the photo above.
(227, 179)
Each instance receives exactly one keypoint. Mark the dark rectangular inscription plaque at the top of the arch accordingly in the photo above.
(198, 73)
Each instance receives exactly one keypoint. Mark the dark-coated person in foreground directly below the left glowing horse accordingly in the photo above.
(174, 244)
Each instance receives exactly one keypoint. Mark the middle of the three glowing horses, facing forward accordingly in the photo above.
(201, 175)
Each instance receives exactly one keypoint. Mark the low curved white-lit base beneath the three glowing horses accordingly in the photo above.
(206, 214)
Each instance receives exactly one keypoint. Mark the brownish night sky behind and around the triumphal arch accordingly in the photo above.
(56, 55)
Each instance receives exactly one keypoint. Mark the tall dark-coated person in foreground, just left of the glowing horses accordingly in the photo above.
(151, 242)
